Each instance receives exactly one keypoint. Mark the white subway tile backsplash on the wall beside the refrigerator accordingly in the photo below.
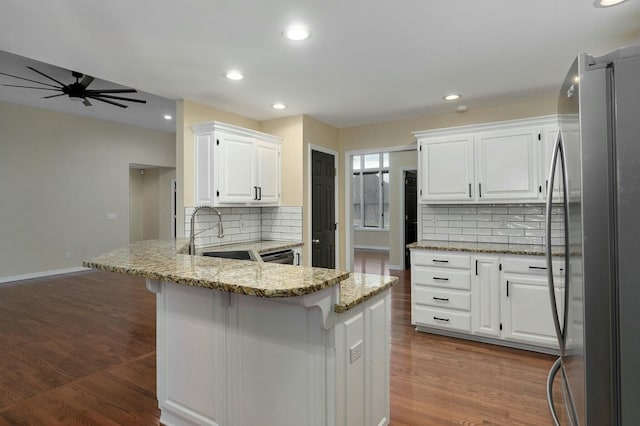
(515, 224)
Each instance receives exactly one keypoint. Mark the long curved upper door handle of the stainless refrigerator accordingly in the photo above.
(558, 151)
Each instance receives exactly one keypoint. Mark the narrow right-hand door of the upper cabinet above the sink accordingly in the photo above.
(268, 172)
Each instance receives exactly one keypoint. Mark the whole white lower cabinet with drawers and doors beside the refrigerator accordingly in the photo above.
(494, 298)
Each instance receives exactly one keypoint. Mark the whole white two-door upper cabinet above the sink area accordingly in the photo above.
(235, 166)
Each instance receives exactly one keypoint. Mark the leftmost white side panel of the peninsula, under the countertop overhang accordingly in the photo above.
(191, 355)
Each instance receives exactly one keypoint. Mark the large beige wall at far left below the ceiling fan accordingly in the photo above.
(60, 175)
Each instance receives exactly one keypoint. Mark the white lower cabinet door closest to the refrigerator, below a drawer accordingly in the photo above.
(526, 314)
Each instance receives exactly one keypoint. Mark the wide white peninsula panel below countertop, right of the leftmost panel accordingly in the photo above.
(276, 361)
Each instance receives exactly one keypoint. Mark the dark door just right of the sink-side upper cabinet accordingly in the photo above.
(323, 223)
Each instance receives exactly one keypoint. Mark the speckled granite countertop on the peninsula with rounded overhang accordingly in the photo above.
(165, 261)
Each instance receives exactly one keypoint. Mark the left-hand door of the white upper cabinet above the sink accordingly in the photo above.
(236, 169)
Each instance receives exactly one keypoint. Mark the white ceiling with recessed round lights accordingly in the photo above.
(366, 61)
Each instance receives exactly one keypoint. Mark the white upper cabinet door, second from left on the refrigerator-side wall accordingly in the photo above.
(507, 165)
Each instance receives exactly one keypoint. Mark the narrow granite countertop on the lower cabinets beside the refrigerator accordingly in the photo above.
(518, 249)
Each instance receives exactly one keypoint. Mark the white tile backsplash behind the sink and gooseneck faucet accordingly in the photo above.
(246, 224)
